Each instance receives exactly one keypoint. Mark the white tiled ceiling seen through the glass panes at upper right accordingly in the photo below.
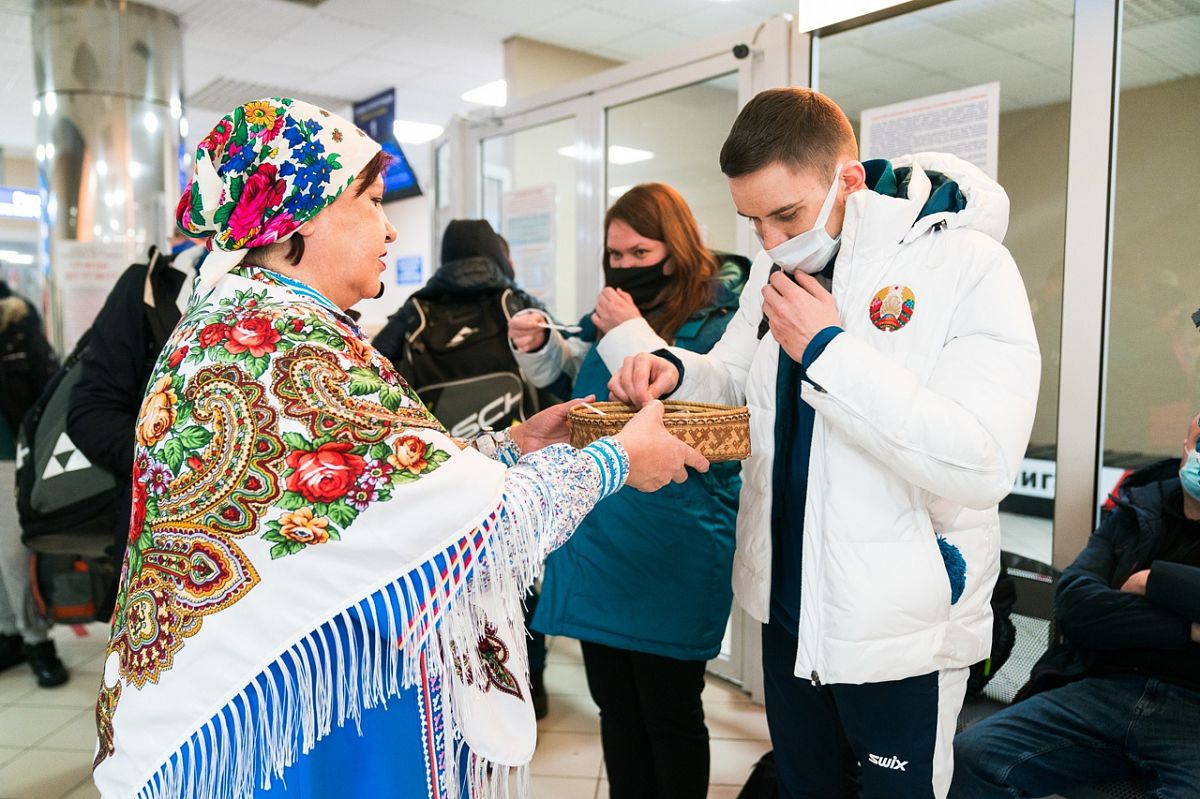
(1025, 45)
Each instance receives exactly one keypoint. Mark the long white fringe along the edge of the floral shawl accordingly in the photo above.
(340, 670)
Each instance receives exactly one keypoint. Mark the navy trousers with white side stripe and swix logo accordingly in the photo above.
(877, 741)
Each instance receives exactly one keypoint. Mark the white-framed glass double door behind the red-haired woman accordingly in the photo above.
(549, 170)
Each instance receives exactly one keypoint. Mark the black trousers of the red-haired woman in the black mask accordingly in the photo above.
(652, 723)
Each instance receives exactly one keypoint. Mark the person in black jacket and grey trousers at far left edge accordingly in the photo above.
(27, 364)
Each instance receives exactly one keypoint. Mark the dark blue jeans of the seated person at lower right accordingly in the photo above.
(1096, 730)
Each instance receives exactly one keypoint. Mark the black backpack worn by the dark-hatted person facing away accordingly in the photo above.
(458, 361)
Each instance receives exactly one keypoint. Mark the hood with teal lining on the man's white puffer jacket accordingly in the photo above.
(914, 194)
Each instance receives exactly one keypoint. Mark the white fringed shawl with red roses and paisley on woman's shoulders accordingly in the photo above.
(307, 544)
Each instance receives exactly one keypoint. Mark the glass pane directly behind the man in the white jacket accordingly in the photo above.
(1025, 47)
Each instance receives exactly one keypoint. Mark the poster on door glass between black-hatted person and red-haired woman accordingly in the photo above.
(529, 224)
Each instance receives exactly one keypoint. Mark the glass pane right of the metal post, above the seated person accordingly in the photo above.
(1154, 347)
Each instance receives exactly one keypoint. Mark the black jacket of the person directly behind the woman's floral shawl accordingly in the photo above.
(127, 339)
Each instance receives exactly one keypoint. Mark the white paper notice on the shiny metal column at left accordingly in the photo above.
(85, 274)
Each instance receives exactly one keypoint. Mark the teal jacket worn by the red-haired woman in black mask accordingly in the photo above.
(652, 573)
